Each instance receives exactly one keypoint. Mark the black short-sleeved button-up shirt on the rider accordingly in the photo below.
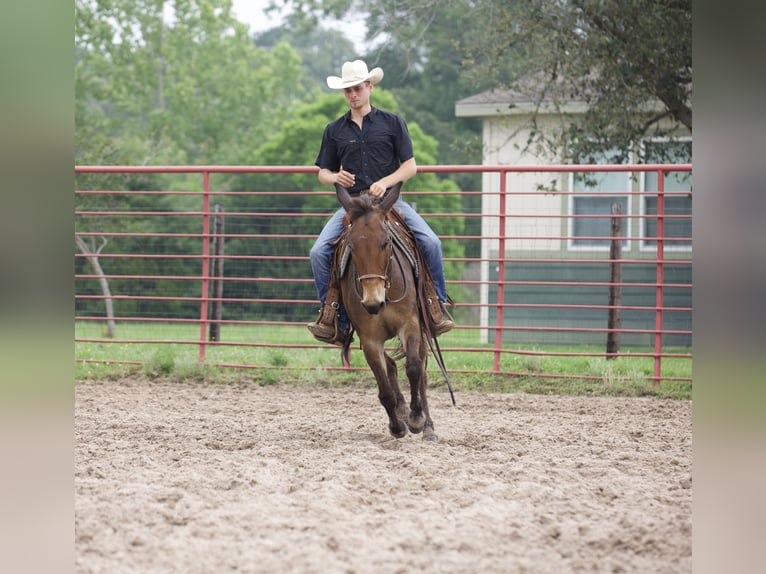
(370, 153)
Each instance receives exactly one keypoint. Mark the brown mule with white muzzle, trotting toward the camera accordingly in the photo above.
(379, 291)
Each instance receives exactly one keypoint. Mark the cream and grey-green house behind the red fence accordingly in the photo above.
(553, 244)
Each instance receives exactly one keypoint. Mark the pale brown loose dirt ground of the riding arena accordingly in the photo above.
(201, 478)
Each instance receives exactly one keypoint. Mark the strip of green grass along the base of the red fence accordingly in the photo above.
(537, 369)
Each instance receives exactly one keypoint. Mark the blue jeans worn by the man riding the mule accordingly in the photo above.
(428, 241)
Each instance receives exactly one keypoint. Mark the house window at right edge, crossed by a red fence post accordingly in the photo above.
(678, 199)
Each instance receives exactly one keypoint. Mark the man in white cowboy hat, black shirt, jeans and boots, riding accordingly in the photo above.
(368, 150)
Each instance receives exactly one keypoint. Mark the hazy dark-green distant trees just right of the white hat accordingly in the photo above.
(419, 46)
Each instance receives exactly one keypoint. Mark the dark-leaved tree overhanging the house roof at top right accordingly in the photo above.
(630, 61)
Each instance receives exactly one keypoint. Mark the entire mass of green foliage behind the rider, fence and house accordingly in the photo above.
(180, 82)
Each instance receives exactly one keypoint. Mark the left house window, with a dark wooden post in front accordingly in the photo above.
(594, 195)
